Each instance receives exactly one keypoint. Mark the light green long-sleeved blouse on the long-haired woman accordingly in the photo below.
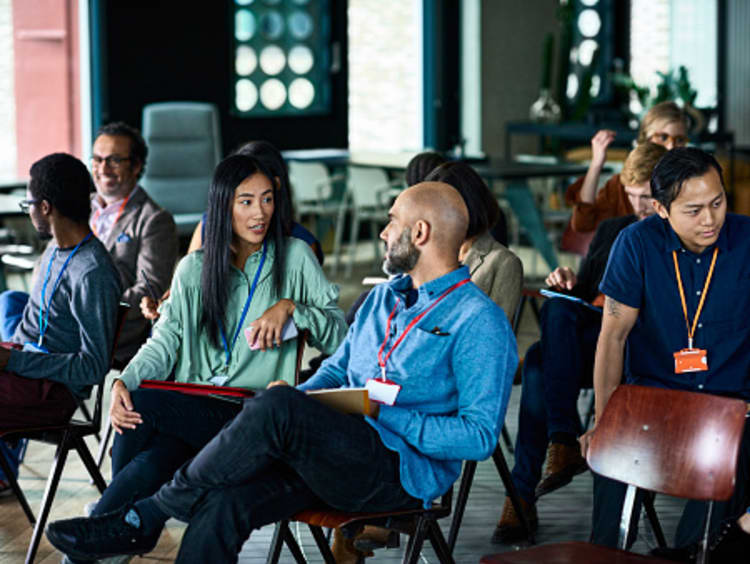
(179, 341)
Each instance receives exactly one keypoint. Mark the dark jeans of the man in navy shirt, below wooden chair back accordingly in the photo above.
(609, 495)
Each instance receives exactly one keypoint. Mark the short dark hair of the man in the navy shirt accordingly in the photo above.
(677, 166)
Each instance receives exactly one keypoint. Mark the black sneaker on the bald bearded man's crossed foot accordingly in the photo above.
(102, 536)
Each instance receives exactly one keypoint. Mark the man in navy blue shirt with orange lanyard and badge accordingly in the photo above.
(691, 256)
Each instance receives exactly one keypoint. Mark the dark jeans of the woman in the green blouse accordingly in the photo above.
(175, 427)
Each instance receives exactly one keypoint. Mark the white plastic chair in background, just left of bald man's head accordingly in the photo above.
(370, 192)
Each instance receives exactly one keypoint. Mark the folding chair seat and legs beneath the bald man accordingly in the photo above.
(419, 524)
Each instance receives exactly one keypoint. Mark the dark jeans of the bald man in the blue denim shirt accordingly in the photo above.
(283, 453)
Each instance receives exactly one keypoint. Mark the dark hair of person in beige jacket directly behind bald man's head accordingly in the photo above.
(484, 211)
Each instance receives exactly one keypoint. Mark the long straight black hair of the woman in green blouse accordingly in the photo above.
(217, 258)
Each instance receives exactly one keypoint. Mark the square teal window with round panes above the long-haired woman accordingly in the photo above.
(281, 57)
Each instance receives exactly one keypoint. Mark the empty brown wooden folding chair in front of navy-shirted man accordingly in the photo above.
(682, 444)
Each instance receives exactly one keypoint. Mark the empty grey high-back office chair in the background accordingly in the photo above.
(184, 147)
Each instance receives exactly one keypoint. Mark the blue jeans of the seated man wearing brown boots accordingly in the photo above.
(554, 371)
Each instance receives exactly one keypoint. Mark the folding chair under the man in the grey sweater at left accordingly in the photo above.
(66, 437)
